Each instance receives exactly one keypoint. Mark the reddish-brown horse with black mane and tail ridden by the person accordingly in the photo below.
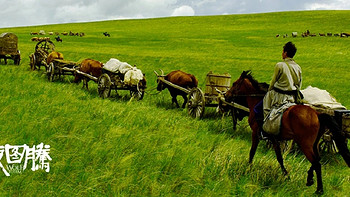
(300, 123)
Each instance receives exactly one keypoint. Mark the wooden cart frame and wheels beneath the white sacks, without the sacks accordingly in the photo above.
(115, 81)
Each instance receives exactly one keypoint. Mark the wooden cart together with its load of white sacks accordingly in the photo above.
(119, 75)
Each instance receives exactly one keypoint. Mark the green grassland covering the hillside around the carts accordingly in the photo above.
(106, 147)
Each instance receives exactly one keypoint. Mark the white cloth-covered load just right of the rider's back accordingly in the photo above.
(320, 98)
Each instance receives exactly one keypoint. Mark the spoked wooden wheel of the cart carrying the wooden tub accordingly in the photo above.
(196, 103)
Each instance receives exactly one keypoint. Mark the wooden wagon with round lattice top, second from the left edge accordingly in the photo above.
(39, 57)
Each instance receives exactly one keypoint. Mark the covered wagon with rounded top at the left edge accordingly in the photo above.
(9, 48)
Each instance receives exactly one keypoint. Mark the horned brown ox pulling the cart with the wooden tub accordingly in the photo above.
(179, 78)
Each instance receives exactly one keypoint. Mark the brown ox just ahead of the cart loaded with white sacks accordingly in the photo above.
(91, 67)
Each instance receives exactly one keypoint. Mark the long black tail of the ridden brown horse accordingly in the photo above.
(334, 127)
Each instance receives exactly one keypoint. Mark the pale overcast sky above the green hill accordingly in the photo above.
(39, 12)
